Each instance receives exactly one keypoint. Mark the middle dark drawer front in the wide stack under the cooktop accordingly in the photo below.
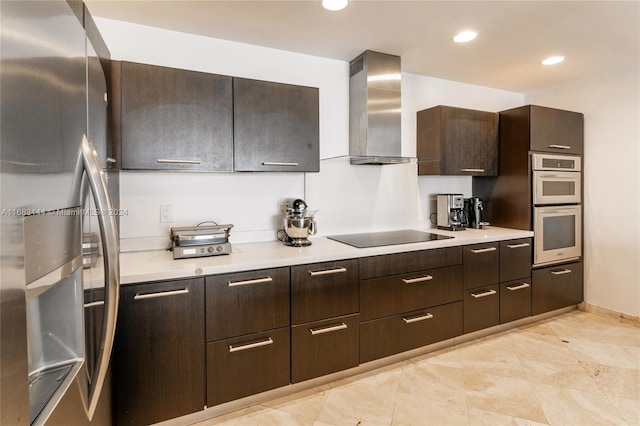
(387, 296)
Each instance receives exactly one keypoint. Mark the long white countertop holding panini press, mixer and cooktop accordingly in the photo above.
(156, 265)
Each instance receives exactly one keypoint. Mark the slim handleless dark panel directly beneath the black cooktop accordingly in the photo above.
(400, 263)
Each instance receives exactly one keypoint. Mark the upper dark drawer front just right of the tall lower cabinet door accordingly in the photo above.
(246, 303)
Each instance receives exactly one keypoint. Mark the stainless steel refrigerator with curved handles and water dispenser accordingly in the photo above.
(58, 242)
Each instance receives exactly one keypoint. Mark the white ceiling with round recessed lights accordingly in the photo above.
(513, 36)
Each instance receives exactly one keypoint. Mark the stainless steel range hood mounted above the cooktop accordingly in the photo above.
(374, 109)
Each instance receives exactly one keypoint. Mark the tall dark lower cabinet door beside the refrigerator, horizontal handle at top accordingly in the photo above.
(159, 351)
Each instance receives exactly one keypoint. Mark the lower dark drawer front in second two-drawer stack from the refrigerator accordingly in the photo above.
(324, 347)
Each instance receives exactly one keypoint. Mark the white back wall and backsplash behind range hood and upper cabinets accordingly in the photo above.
(348, 198)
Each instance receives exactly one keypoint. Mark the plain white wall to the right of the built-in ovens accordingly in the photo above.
(611, 107)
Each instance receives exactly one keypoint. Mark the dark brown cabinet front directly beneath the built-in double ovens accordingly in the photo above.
(556, 287)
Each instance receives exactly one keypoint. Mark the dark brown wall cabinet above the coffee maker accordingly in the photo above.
(457, 141)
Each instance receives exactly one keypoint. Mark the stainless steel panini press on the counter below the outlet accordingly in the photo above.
(200, 241)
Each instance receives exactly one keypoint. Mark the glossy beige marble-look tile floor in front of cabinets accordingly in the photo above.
(573, 369)
